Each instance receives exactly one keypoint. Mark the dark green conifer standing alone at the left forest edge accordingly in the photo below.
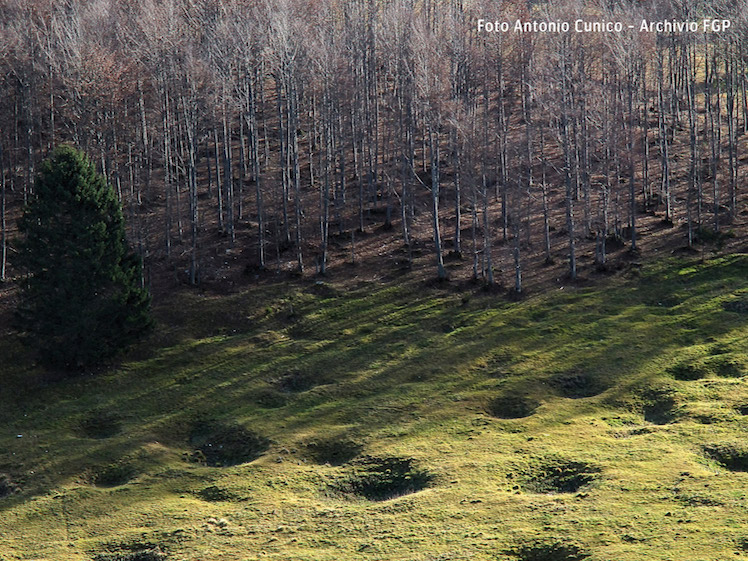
(82, 299)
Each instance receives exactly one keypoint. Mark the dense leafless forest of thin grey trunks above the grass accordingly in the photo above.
(300, 136)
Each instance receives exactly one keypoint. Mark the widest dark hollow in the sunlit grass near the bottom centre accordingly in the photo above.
(383, 478)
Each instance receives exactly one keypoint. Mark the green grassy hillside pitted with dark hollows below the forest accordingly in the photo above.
(294, 422)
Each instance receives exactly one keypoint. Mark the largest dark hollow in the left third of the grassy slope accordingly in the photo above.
(219, 444)
